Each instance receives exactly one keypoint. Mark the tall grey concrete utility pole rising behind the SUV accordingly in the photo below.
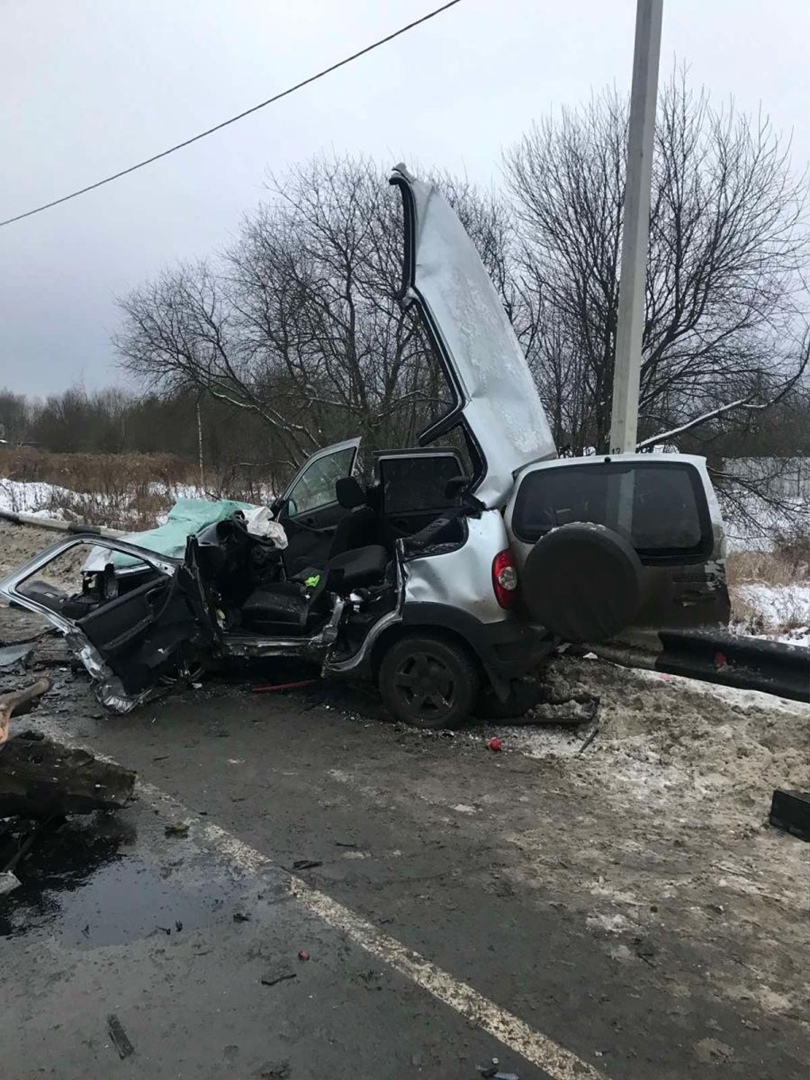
(637, 227)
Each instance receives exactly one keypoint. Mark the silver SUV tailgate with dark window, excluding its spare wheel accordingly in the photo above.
(664, 506)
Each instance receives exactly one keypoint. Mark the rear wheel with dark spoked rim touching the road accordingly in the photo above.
(429, 682)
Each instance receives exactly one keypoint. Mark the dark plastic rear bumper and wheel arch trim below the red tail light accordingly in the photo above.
(509, 649)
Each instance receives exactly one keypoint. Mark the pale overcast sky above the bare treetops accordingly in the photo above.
(90, 87)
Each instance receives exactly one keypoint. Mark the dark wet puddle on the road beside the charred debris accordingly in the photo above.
(85, 887)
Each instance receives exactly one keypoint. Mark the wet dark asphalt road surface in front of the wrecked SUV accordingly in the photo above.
(395, 861)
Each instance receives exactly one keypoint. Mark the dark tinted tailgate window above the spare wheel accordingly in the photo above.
(660, 507)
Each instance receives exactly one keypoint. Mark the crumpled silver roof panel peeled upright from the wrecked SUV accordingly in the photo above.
(483, 359)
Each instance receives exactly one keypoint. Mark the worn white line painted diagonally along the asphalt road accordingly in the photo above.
(561, 1064)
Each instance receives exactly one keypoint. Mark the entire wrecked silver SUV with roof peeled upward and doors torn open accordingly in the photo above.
(450, 577)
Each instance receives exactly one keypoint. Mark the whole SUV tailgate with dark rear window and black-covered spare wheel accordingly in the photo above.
(605, 545)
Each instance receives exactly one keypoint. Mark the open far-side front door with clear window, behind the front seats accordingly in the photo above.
(309, 510)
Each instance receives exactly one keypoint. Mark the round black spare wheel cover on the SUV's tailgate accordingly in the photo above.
(583, 583)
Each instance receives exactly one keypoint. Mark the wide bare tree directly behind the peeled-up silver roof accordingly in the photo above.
(300, 321)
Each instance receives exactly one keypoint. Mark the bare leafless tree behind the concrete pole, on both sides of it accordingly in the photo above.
(725, 304)
